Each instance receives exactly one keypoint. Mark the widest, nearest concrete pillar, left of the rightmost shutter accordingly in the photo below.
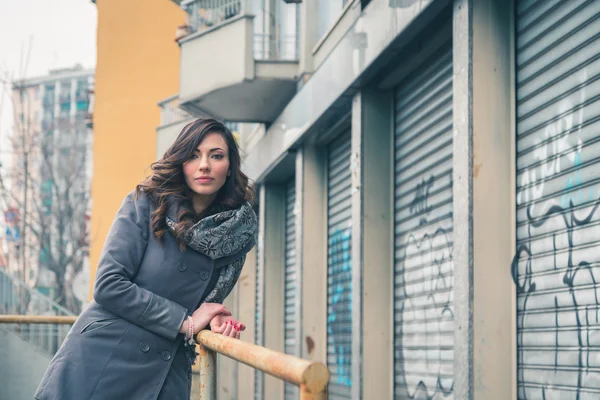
(484, 205)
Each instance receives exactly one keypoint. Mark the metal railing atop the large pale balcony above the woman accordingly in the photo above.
(275, 33)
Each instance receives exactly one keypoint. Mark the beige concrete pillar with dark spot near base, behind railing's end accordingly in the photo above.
(314, 254)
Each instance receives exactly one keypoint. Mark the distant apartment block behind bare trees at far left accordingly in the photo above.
(47, 188)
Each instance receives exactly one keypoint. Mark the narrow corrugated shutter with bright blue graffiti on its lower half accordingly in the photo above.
(339, 268)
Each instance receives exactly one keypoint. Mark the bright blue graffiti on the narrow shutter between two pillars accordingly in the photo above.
(340, 306)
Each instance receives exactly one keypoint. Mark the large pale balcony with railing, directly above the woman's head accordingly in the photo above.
(239, 60)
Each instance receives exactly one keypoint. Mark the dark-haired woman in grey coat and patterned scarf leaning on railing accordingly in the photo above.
(173, 253)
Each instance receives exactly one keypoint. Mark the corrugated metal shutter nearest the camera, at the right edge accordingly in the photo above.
(556, 267)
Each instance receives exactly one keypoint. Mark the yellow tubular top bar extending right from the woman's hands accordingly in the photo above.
(312, 376)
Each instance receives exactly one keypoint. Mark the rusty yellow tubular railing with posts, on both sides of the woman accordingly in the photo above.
(311, 377)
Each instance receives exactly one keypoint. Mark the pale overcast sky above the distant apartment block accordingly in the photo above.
(56, 33)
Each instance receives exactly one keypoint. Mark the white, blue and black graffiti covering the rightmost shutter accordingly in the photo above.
(556, 266)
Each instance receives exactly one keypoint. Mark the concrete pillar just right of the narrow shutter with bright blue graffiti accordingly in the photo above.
(372, 257)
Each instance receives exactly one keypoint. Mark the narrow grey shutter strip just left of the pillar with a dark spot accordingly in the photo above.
(290, 324)
